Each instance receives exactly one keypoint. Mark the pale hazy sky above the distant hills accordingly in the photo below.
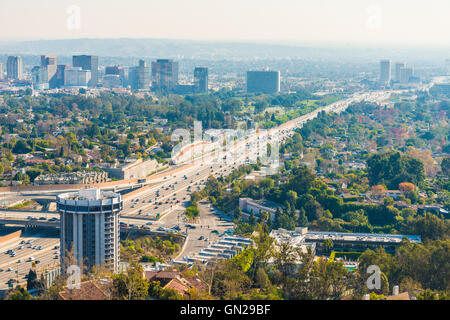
(344, 21)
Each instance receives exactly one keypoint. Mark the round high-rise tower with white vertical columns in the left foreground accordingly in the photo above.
(90, 227)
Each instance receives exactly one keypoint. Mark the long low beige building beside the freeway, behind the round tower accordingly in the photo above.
(132, 169)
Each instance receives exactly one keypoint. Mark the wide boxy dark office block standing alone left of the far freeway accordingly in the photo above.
(263, 81)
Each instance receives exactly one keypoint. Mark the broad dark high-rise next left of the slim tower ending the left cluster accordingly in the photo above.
(164, 74)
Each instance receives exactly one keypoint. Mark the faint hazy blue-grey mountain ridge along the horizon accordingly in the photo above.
(195, 49)
